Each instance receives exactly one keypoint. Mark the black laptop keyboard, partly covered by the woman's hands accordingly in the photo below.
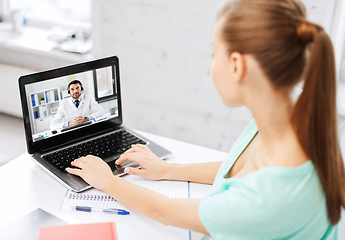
(103, 147)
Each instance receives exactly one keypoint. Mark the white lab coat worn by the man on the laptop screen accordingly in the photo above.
(67, 111)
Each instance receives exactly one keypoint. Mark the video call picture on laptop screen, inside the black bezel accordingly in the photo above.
(51, 105)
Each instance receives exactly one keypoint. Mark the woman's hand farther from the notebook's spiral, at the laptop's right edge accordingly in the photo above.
(153, 167)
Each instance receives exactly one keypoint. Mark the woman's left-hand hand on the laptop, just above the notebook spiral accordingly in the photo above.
(93, 170)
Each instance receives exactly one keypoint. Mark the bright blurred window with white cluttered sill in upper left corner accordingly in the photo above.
(63, 25)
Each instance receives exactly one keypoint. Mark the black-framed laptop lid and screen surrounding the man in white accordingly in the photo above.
(43, 93)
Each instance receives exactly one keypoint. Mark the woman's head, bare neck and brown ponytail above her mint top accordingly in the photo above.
(262, 49)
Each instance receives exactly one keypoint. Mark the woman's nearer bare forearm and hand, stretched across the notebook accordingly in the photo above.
(175, 212)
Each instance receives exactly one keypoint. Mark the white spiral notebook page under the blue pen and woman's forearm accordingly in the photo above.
(133, 226)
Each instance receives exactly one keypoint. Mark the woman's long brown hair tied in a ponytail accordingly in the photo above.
(289, 48)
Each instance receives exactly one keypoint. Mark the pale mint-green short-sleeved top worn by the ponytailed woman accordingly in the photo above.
(270, 203)
